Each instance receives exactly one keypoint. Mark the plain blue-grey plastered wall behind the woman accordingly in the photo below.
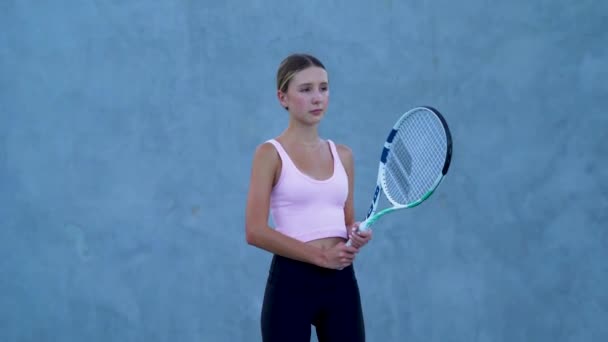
(127, 130)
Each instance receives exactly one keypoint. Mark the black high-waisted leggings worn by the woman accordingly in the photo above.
(299, 295)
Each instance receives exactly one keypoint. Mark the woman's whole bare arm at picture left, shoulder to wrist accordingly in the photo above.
(258, 233)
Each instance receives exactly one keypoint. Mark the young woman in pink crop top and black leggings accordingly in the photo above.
(306, 184)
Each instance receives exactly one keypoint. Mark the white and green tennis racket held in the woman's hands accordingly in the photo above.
(415, 159)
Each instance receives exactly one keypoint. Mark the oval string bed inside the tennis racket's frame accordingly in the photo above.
(416, 158)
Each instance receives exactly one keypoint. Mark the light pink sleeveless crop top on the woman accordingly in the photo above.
(305, 208)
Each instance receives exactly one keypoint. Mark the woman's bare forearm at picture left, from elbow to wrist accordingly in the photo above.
(275, 242)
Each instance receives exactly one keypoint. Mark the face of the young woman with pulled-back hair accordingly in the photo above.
(307, 95)
